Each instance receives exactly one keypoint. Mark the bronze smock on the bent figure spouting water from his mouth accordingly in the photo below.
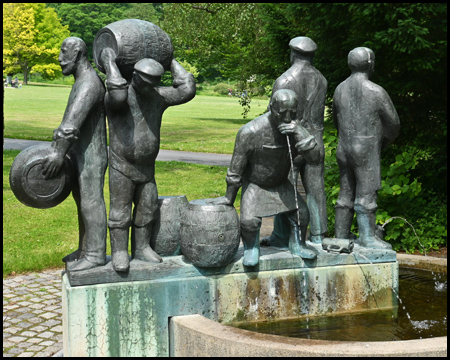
(261, 163)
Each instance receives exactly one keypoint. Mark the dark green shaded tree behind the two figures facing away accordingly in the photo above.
(410, 45)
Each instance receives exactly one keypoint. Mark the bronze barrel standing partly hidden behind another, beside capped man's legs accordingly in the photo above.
(165, 239)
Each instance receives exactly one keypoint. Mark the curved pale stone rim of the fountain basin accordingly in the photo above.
(196, 335)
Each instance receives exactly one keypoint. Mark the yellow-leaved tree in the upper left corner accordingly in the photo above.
(32, 36)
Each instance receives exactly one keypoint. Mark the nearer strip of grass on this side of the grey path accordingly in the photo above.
(36, 239)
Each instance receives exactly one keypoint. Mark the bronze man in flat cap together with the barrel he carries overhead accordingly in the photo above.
(134, 107)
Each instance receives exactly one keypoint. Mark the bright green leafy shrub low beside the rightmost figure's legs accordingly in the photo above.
(413, 218)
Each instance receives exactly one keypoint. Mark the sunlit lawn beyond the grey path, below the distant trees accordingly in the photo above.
(205, 124)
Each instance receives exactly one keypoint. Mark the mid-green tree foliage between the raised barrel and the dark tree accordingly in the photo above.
(220, 39)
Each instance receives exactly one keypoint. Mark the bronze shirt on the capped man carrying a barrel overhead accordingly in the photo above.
(134, 127)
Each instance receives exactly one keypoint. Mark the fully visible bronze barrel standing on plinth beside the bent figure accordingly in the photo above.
(209, 233)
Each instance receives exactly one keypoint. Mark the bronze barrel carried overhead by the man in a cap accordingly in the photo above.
(133, 40)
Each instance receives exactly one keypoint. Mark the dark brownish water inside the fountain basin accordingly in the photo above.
(424, 297)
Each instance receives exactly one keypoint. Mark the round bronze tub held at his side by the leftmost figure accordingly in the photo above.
(29, 185)
